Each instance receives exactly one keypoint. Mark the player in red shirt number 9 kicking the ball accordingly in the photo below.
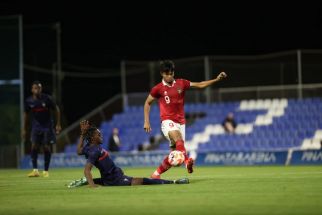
(170, 94)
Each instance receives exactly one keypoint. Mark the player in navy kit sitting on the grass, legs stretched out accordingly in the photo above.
(111, 175)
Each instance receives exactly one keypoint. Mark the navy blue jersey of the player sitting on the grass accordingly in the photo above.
(99, 157)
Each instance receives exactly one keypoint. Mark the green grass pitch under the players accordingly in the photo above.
(212, 190)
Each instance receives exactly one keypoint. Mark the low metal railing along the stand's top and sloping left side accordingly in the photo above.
(114, 105)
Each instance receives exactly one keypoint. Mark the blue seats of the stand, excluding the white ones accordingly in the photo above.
(300, 120)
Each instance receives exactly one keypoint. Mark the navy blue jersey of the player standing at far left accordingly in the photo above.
(40, 110)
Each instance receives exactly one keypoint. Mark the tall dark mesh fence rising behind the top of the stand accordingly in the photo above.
(295, 67)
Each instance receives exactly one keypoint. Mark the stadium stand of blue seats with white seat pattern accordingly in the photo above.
(262, 125)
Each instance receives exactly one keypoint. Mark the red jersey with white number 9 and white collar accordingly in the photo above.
(171, 99)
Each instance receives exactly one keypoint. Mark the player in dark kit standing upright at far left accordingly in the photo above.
(39, 105)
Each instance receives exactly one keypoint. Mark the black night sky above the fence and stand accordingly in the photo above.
(100, 35)
